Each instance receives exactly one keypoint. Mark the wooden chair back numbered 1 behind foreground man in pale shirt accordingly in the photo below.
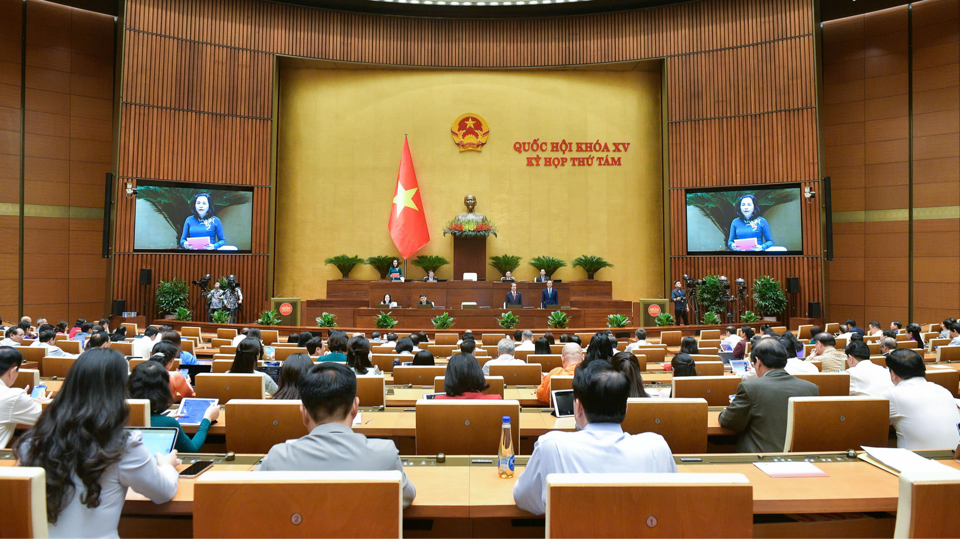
(723, 509)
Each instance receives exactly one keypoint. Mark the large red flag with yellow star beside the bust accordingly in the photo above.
(408, 224)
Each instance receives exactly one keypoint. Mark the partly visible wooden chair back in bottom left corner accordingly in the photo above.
(24, 492)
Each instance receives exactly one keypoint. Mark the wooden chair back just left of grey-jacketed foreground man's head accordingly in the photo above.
(257, 424)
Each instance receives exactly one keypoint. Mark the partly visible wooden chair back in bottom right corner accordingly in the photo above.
(927, 505)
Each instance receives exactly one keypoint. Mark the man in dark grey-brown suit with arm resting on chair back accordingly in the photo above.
(758, 412)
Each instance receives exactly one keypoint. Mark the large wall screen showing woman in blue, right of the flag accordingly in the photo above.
(760, 220)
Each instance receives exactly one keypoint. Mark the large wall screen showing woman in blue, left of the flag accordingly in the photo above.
(193, 218)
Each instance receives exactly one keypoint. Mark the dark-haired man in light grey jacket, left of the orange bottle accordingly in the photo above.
(329, 403)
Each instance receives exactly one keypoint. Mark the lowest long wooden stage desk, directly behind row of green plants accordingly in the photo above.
(466, 318)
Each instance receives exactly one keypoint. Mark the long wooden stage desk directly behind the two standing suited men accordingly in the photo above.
(451, 293)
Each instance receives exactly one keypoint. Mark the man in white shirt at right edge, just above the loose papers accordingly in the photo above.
(923, 413)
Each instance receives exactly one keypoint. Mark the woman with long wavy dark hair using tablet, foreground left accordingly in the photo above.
(89, 458)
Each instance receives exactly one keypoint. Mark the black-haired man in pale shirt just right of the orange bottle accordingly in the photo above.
(600, 393)
